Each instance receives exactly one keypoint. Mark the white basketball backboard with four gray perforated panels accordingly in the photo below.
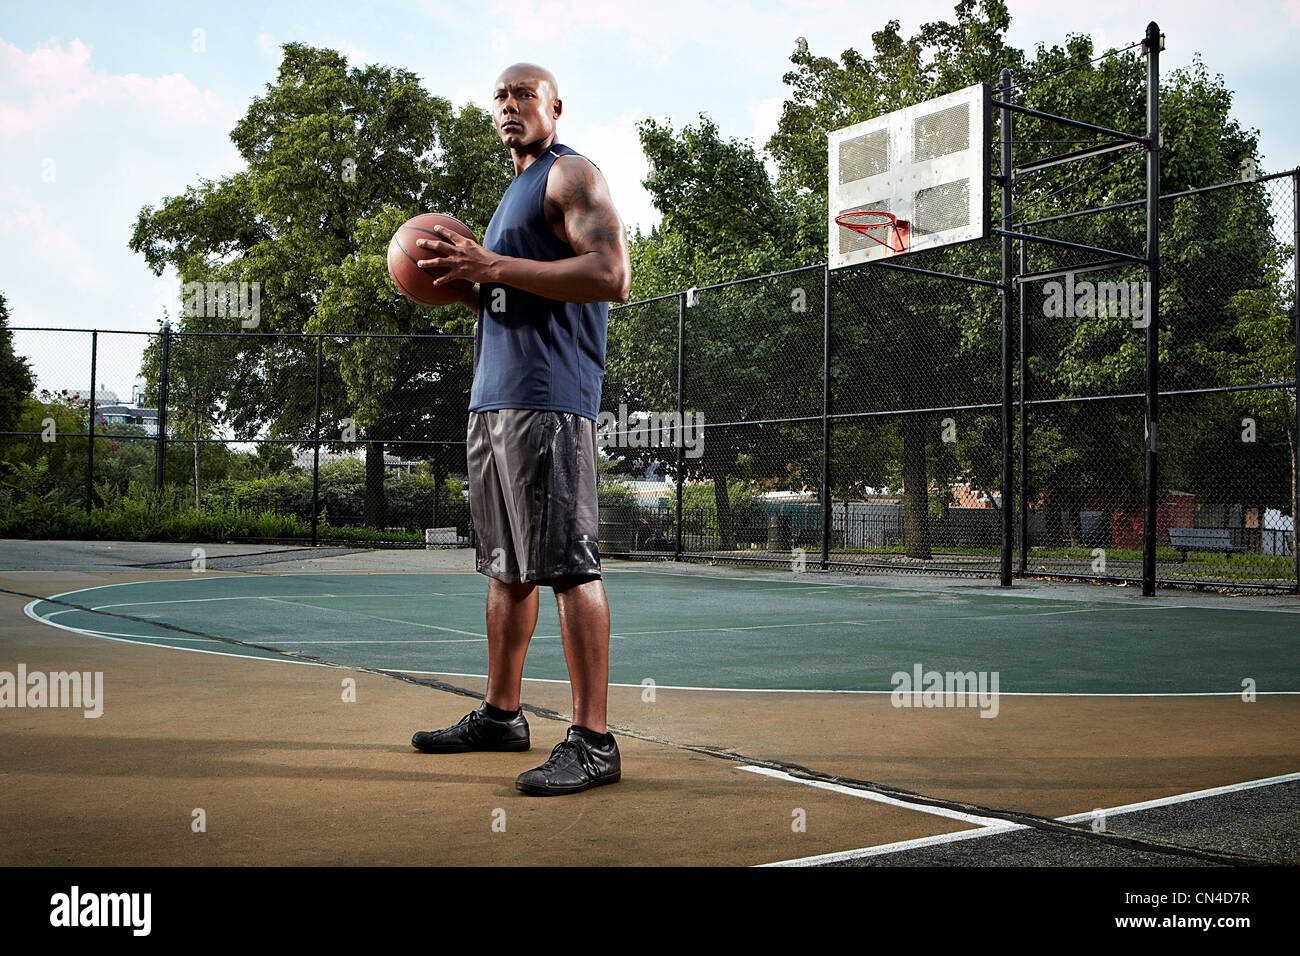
(928, 165)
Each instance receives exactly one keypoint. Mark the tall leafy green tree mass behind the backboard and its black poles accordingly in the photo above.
(939, 340)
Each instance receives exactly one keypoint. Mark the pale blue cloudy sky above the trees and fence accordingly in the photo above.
(107, 109)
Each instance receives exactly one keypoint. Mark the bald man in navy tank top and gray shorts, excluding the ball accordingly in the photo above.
(556, 254)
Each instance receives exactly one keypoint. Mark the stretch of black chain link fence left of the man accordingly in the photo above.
(246, 436)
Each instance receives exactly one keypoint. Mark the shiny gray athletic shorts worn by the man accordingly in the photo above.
(532, 495)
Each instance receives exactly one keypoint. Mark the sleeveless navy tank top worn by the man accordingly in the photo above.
(532, 352)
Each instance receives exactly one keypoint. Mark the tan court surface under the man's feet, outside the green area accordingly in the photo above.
(289, 773)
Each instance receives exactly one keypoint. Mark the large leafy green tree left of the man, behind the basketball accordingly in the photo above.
(336, 159)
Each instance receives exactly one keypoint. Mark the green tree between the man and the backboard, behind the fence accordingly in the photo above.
(723, 217)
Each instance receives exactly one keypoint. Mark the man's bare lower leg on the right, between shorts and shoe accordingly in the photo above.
(586, 631)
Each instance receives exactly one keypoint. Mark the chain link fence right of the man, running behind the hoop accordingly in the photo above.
(855, 417)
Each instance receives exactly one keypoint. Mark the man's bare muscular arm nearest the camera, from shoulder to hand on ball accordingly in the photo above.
(600, 272)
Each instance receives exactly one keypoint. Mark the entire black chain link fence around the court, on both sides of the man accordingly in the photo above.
(808, 418)
